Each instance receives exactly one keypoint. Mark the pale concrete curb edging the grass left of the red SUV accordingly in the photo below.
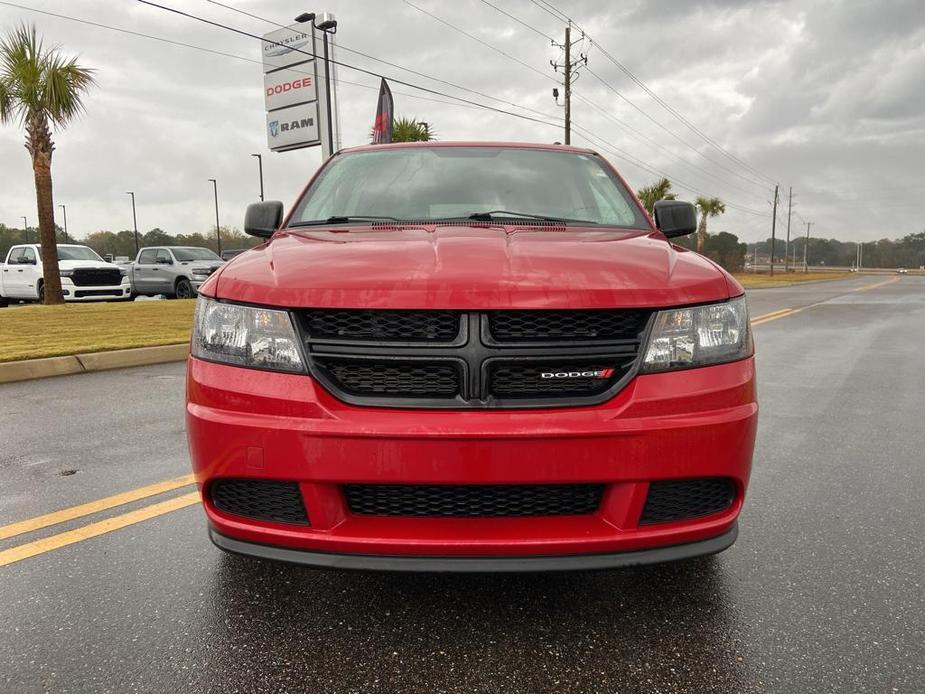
(86, 363)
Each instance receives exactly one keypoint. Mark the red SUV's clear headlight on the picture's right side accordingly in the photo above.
(699, 336)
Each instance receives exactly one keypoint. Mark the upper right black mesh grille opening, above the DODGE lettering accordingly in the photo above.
(532, 326)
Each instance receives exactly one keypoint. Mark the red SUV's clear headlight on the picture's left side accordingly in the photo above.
(245, 336)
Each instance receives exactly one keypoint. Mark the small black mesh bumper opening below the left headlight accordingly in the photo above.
(265, 500)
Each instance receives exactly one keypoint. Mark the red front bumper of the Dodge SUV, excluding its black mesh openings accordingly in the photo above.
(252, 424)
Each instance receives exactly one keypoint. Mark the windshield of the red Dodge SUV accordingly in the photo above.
(421, 184)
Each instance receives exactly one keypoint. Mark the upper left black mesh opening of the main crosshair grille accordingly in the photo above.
(383, 326)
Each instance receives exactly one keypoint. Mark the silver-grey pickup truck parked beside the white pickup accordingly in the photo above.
(172, 270)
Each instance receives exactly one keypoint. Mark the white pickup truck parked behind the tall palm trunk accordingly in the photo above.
(84, 275)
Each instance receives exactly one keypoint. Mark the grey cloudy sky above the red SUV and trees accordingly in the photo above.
(826, 97)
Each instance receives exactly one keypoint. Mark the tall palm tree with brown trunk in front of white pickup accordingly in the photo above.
(40, 88)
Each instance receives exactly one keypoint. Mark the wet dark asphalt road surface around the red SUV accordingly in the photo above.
(823, 591)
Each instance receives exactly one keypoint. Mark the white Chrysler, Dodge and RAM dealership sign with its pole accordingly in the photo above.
(297, 110)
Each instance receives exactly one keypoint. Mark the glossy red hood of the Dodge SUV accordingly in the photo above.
(470, 267)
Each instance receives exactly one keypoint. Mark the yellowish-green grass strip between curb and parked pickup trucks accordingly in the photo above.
(32, 332)
